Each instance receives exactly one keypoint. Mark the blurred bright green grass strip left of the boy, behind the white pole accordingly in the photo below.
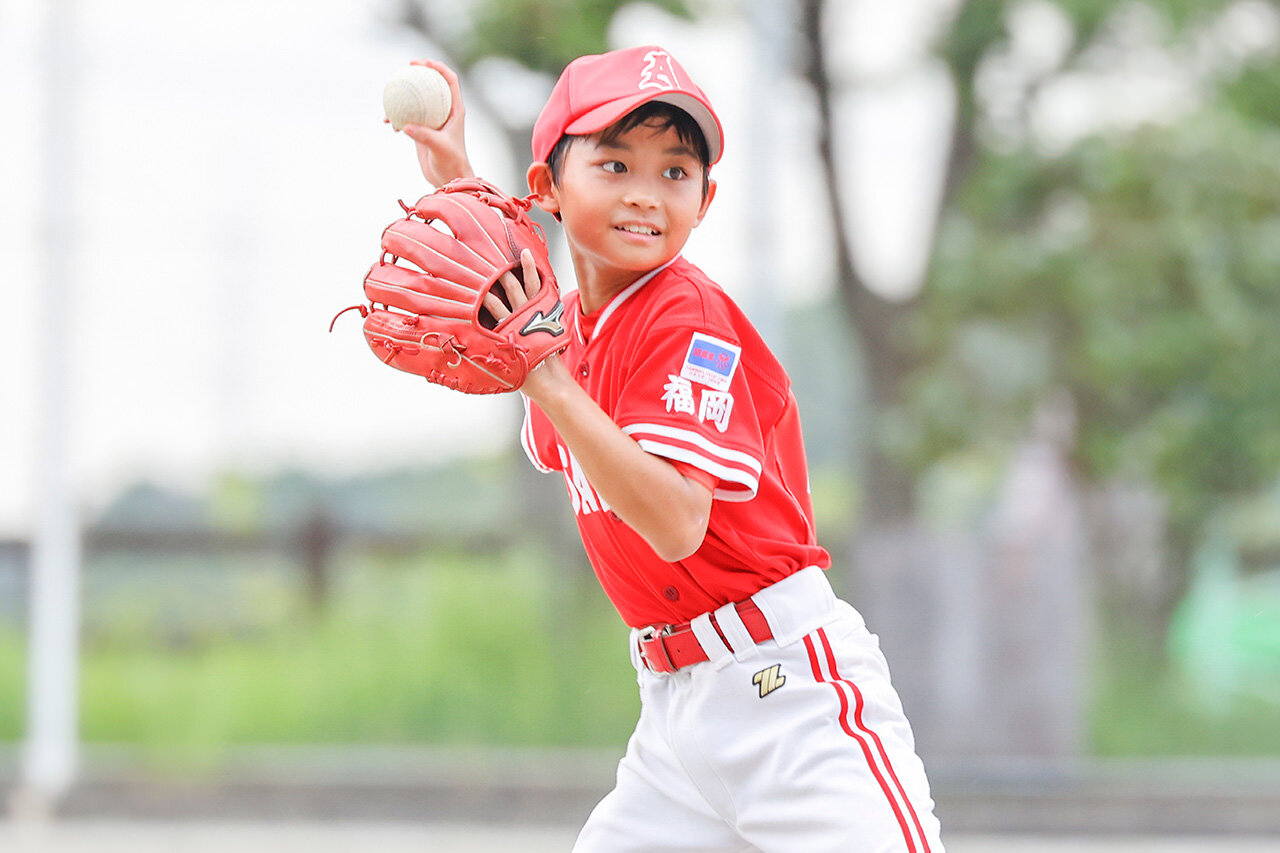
(454, 653)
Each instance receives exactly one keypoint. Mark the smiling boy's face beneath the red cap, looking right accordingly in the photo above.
(629, 206)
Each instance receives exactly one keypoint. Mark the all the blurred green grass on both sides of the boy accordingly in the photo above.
(186, 664)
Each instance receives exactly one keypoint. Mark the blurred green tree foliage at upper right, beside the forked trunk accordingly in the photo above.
(1137, 270)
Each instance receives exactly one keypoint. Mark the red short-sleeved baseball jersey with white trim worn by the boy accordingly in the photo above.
(678, 366)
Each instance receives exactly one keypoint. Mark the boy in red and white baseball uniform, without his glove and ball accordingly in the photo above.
(767, 718)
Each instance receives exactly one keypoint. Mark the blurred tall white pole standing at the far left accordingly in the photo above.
(51, 759)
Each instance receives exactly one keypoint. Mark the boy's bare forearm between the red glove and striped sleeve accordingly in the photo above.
(668, 509)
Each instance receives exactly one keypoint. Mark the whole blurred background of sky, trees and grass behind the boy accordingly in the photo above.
(1022, 261)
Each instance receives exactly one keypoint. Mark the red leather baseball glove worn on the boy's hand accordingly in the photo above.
(428, 293)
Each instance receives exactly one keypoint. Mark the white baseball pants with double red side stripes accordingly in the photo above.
(794, 746)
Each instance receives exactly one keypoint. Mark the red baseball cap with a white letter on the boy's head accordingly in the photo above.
(596, 92)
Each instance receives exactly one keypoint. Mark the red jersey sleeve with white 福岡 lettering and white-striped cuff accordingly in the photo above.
(687, 399)
